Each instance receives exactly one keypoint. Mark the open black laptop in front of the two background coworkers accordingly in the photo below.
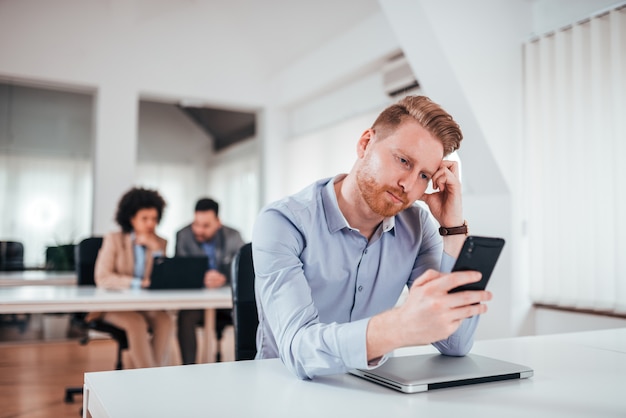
(178, 272)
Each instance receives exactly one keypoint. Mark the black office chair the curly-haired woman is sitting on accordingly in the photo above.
(85, 258)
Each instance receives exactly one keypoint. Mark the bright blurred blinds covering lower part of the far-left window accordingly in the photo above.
(44, 201)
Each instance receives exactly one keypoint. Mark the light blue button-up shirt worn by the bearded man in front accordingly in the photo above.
(319, 281)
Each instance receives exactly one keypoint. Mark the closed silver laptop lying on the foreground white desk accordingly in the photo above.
(420, 373)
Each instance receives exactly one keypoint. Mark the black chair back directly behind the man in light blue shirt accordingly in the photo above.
(245, 316)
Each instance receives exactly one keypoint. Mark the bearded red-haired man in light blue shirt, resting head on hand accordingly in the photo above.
(332, 260)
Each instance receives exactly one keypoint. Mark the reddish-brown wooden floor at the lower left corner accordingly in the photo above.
(33, 376)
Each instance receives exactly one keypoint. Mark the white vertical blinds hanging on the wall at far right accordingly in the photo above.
(575, 108)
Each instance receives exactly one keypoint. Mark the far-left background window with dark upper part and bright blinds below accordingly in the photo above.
(45, 168)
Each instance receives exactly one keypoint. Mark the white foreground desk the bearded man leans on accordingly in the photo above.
(572, 379)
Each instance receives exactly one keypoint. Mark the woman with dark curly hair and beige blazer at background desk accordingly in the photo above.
(125, 261)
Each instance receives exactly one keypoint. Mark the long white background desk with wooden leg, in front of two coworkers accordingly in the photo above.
(51, 299)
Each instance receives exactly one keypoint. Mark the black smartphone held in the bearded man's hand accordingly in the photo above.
(480, 254)
